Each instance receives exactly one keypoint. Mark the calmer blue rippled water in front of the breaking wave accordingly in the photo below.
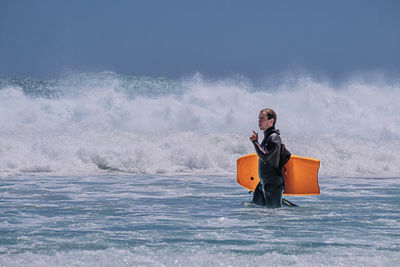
(115, 219)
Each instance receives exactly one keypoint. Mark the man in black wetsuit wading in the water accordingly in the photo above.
(269, 190)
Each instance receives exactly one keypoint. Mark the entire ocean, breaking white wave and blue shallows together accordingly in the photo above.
(102, 169)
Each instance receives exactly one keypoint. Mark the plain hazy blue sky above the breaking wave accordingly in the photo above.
(218, 38)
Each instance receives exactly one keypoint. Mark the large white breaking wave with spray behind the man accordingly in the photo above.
(96, 122)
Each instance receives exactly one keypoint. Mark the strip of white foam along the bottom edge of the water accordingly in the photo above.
(141, 256)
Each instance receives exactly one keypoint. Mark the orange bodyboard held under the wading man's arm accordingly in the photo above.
(300, 174)
